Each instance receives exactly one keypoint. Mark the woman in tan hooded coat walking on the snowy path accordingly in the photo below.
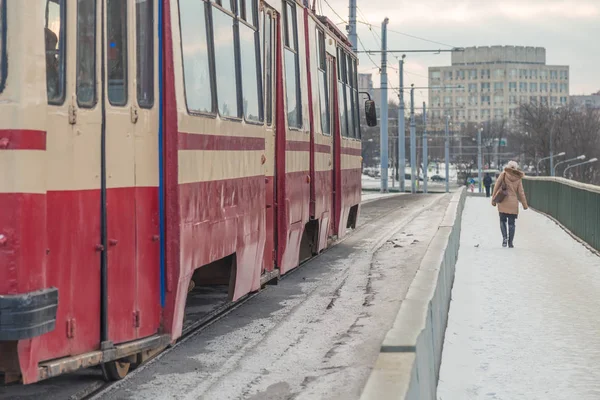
(509, 186)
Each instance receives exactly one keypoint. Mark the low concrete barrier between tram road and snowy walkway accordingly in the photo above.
(408, 364)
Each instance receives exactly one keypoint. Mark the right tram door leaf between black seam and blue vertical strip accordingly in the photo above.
(131, 168)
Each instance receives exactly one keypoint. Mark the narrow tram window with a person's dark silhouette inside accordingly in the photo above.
(54, 31)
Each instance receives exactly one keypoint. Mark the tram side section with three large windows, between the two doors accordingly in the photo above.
(220, 147)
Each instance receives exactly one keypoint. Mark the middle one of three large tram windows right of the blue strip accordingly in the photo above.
(225, 69)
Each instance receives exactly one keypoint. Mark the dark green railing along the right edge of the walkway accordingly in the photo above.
(576, 206)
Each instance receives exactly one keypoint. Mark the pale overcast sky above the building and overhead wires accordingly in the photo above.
(568, 29)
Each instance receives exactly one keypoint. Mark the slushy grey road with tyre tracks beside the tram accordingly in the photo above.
(315, 335)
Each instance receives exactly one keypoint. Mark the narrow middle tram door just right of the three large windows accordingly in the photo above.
(270, 48)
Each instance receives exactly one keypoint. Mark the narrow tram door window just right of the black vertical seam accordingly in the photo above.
(117, 52)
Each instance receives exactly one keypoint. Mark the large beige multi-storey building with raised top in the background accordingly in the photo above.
(486, 83)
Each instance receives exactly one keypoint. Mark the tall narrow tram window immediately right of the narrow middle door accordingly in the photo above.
(292, 81)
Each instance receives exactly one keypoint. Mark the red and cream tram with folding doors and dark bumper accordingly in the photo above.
(150, 146)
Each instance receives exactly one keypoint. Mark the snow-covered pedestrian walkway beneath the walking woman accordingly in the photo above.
(523, 322)
